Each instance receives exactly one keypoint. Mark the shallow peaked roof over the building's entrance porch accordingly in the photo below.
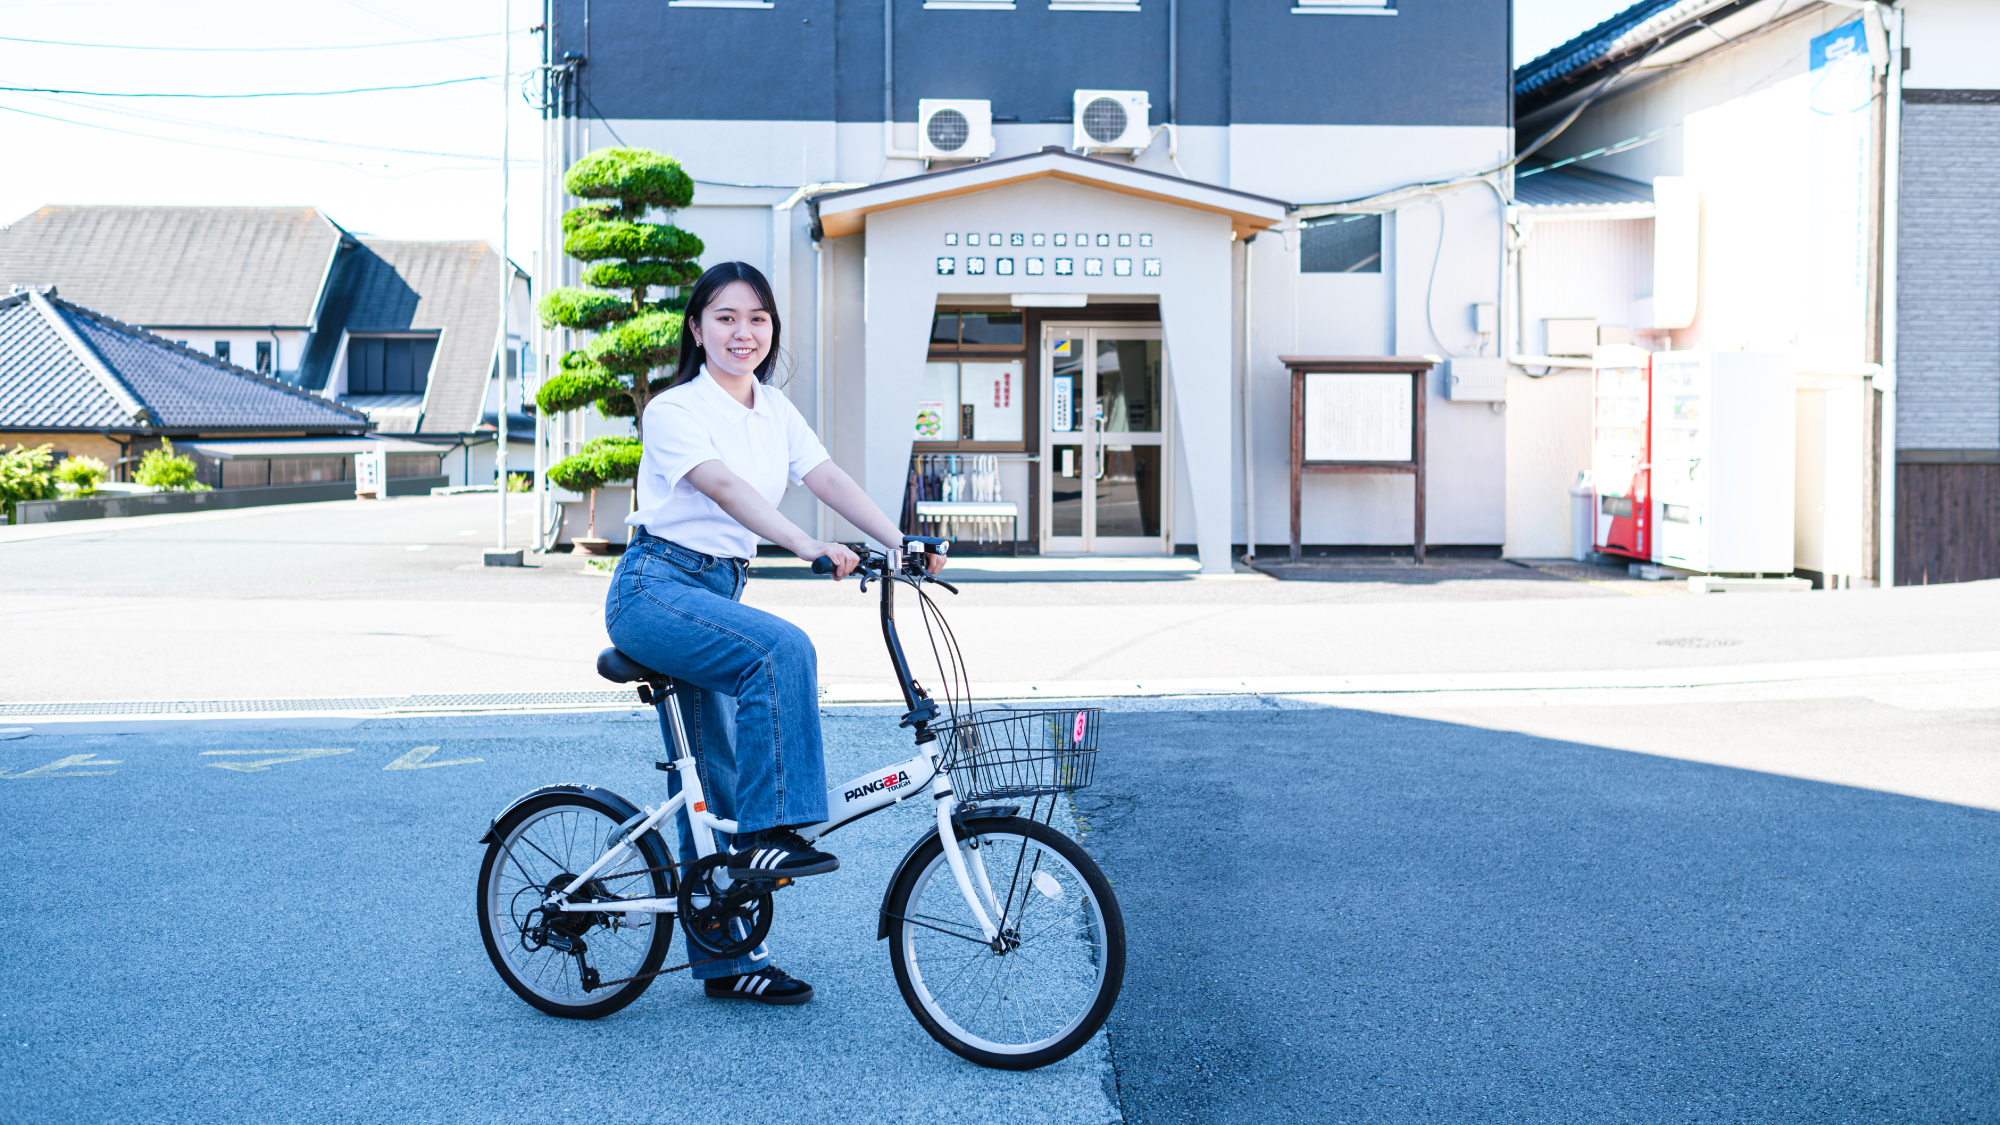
(845, 213)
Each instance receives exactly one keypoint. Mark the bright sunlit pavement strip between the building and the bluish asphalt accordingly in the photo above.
(391, 600)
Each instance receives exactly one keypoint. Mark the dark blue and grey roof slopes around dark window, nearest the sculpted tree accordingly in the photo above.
(401, 287)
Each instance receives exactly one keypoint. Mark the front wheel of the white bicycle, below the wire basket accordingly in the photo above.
(1051, 980)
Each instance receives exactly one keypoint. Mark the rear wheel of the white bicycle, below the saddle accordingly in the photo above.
(513, 876)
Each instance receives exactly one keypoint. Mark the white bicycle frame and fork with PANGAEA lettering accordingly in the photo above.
(847, 804)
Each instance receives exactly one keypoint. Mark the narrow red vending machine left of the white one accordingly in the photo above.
(1621, 451)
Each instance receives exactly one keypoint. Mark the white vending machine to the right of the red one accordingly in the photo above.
(1725, 431)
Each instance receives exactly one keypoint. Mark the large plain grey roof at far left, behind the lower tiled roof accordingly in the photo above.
(185, 267)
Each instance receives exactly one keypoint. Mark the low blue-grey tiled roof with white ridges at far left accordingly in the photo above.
(65, 367)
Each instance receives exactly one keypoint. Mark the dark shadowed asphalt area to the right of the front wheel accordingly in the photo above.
(1341, 916)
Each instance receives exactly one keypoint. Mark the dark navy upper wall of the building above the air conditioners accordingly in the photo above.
(1241, 61)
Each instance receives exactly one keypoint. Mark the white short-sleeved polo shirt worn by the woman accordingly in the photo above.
(767, 445)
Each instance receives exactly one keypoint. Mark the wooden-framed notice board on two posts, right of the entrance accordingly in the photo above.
(1359, 415)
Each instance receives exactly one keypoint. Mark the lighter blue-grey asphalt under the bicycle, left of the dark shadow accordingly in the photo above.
(295, 940)
